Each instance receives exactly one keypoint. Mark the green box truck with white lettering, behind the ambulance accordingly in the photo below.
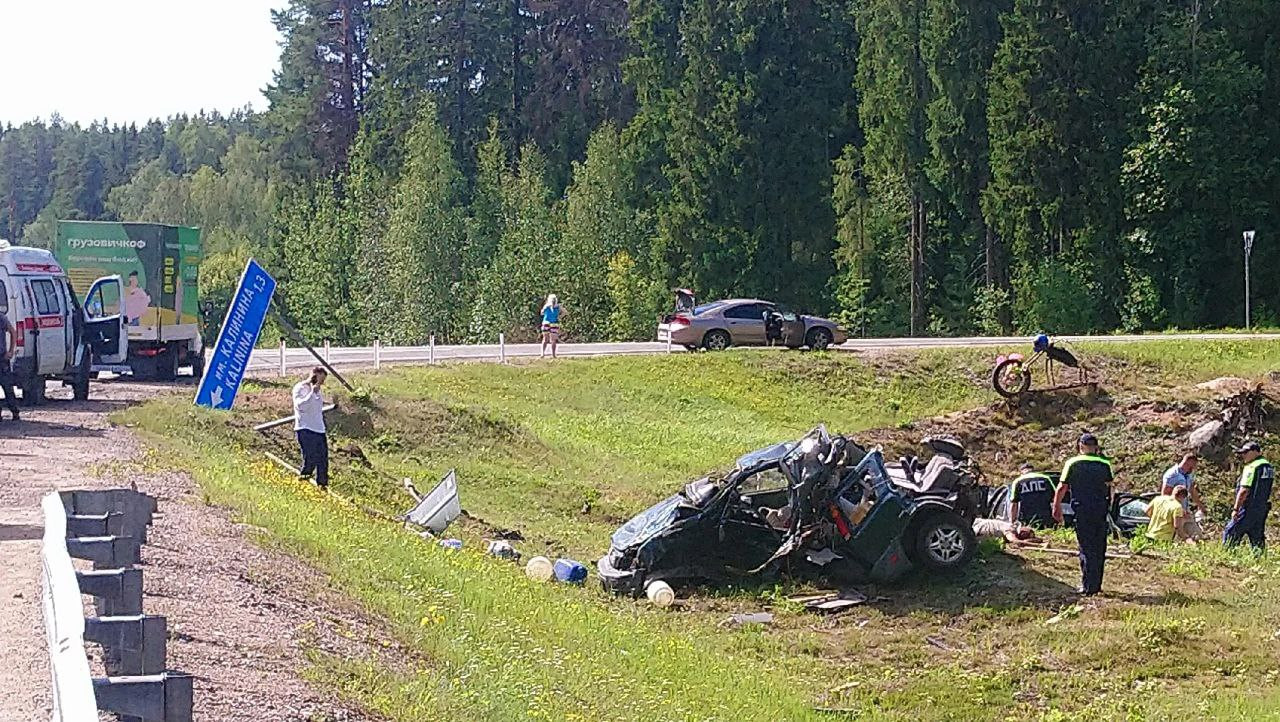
(159, 268)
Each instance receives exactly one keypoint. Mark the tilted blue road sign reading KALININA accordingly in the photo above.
(226, 369)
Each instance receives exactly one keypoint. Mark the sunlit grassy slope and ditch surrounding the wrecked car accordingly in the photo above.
(564, 453)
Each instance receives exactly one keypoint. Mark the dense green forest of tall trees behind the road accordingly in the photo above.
(930, 167)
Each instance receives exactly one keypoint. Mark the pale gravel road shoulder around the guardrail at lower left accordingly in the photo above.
(241, 618)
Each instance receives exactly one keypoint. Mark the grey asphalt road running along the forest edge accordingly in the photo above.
(267, 360)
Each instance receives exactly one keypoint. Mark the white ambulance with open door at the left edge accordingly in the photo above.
(57, 341)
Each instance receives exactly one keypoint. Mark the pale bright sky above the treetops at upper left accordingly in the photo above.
(130, 61)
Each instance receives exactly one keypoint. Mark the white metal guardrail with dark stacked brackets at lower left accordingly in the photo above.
(108, 529)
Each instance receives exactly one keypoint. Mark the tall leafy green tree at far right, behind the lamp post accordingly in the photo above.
(1194, 176)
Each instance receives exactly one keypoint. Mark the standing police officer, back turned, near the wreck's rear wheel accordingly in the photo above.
(1089, 476)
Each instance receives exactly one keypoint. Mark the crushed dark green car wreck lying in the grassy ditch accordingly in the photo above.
(822, 506)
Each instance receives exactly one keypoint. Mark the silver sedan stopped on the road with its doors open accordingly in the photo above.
(746, 322)
